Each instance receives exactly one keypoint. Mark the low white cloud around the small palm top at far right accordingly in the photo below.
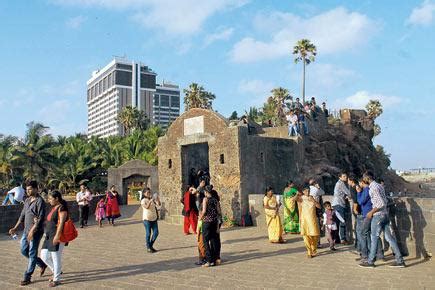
(360, 99)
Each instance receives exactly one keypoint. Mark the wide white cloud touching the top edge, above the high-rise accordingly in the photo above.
(171, 16)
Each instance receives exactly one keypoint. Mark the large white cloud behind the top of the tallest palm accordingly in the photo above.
(333, 31)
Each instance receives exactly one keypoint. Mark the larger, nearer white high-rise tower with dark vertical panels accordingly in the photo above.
(119, 84)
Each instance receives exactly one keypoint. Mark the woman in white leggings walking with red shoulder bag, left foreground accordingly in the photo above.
(52, 247)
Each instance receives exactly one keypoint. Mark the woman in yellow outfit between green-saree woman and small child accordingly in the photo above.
(309, 225)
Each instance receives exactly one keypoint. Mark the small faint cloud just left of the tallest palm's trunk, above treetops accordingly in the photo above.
(258, 90)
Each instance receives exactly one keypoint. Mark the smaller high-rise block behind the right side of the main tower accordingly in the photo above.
(166, 104)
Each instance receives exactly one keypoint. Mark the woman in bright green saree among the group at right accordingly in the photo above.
(291, 213)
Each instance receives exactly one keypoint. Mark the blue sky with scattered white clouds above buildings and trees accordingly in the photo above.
(237, 49)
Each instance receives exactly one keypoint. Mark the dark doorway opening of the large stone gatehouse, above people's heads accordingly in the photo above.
(193, 156)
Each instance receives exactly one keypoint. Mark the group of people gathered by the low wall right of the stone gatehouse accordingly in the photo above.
(306, 214)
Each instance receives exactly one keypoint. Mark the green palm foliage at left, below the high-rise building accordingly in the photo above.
(63, 162)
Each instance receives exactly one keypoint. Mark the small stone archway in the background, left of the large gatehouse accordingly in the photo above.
(134, 171)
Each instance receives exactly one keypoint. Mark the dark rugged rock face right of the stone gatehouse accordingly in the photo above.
(345, 145)
